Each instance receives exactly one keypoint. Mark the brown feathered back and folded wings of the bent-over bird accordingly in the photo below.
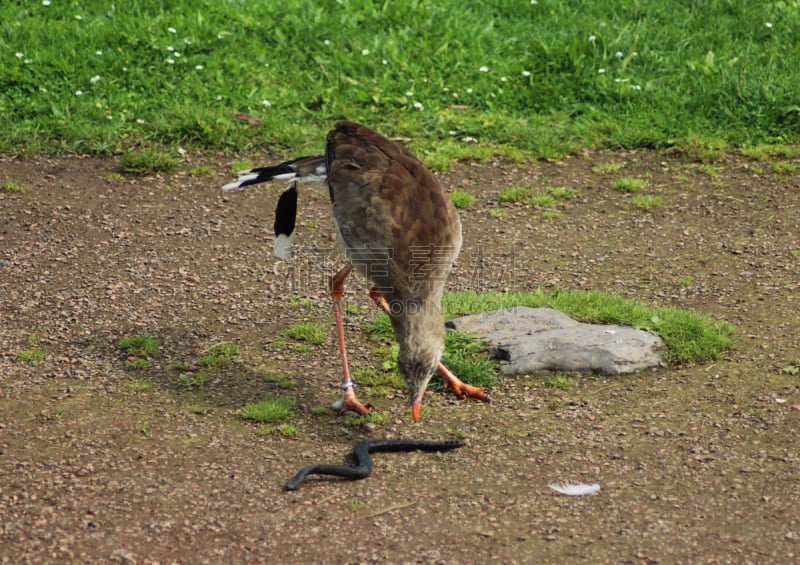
(386, 200)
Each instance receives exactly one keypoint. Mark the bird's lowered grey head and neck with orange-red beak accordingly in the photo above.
(421, 347)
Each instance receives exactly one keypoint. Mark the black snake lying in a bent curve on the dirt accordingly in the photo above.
(363, 466)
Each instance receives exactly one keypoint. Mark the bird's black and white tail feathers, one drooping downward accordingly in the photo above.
(303, 170)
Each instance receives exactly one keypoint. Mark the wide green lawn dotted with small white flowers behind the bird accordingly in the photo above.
(461, 79)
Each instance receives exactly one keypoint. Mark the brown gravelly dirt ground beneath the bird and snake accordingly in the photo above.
(100, 462)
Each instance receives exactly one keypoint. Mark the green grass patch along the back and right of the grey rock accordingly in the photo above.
(689, 337)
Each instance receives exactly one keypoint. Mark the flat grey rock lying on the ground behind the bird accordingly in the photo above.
(536, 339)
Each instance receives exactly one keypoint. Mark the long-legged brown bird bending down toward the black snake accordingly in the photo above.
(398, 229)
